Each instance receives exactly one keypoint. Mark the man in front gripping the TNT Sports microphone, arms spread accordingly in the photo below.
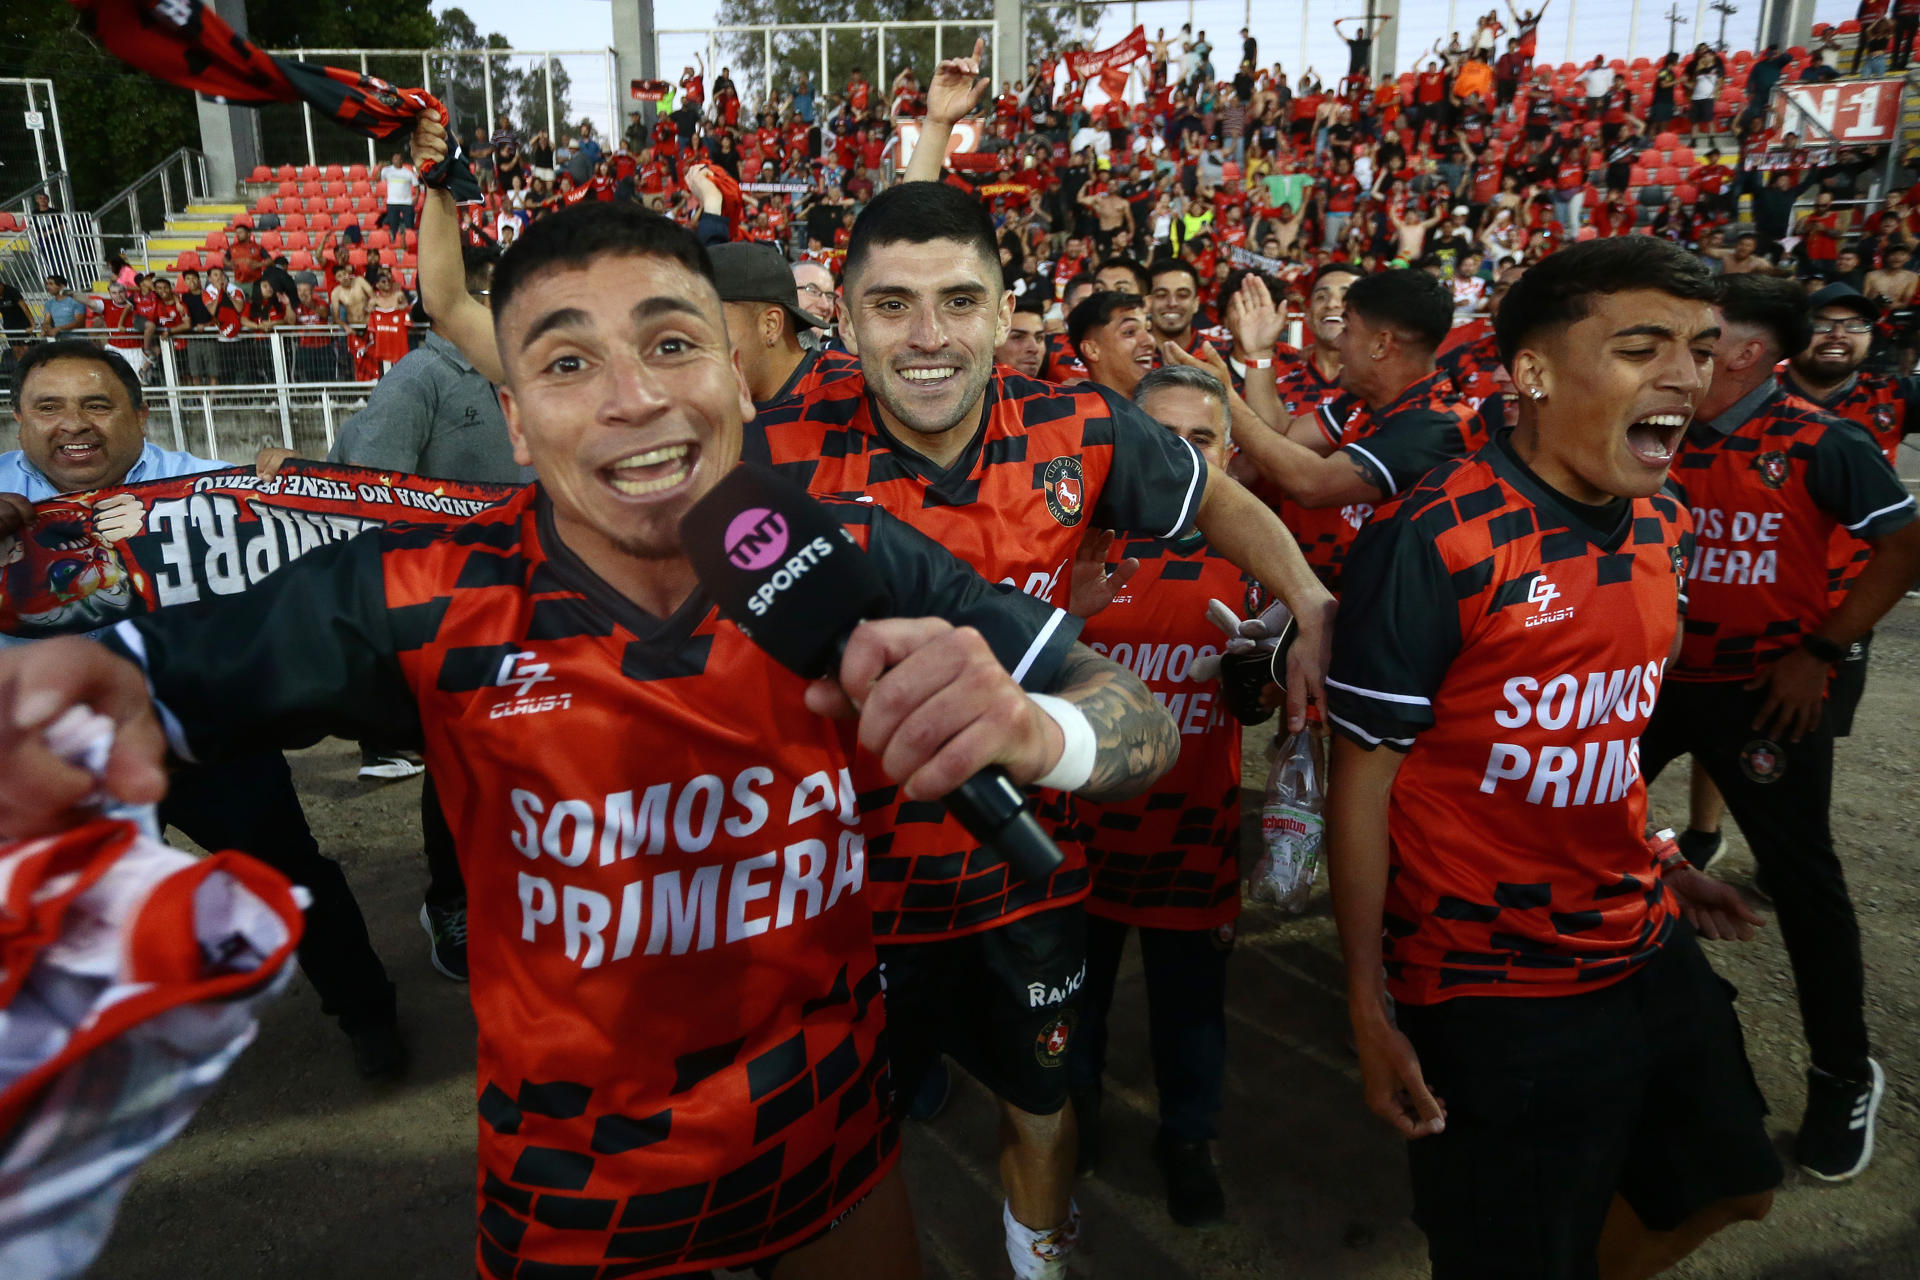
(669, 943)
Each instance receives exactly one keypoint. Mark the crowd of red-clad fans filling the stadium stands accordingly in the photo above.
(1474, 160)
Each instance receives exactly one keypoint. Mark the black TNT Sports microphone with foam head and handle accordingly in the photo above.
(792, 579)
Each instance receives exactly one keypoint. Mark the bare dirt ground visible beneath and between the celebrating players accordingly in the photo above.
(299, 1170)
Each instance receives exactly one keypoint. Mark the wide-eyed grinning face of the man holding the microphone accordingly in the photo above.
(629, 412)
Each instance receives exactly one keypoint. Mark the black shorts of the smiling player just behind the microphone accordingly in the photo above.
(1001, 1003)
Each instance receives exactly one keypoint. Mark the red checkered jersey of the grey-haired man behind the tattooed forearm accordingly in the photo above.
(1168, 859)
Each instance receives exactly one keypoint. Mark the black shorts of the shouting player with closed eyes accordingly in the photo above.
(1554, 1104)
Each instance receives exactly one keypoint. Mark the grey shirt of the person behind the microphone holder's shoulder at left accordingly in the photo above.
(433, 415)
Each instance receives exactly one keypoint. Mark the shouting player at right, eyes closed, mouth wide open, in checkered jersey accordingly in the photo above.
(1560, 1053)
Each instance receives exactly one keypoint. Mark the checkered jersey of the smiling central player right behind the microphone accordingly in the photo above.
(1047, 465)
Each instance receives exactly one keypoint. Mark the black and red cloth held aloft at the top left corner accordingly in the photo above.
(189, 45)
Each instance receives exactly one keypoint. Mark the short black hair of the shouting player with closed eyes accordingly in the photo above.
(1558, 289)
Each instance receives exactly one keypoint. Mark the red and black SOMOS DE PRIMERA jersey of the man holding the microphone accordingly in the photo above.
(669, 943)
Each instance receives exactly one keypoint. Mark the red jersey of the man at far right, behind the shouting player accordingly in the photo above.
(1769, 490)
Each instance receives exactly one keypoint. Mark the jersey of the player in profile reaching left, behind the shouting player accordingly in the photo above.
(1393, 446)
